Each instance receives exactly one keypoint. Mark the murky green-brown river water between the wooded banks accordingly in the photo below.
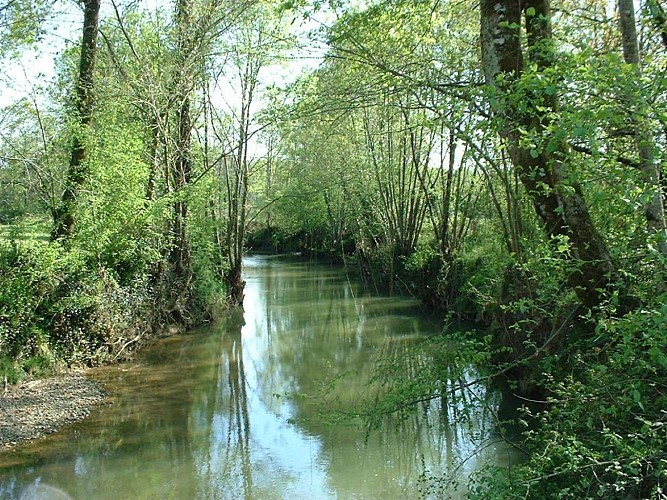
(239, 409)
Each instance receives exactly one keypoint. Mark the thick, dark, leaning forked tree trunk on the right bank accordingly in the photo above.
(542, 167)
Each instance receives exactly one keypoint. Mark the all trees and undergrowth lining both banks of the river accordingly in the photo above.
(501, 160)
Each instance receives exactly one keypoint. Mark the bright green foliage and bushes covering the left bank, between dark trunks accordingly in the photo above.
(92, 300)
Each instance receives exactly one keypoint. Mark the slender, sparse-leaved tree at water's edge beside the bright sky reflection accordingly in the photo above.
(257, 37)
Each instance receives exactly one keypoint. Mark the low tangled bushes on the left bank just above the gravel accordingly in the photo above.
(58, 306)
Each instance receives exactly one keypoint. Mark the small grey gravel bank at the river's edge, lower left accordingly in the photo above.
(34, 409)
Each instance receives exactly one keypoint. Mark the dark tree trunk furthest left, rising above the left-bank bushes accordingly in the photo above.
(78, 170)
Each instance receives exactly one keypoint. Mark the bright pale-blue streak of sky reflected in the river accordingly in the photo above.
(282, 457)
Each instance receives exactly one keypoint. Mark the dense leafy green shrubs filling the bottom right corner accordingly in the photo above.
(603, 429)
